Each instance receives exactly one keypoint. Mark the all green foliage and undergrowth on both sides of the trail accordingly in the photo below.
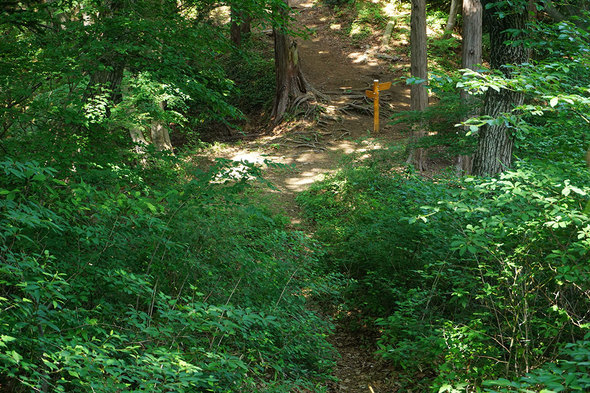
(126, 269)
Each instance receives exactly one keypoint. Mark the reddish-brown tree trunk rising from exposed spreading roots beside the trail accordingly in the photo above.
(290, 82)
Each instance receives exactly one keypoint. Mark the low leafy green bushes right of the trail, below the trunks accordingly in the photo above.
(471, 279)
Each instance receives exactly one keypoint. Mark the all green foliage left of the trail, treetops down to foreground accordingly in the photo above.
(124, 267)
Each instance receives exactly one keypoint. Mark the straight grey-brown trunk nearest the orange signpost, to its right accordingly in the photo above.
(419, 69)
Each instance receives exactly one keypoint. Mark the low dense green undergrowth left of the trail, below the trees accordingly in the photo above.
(176, 284)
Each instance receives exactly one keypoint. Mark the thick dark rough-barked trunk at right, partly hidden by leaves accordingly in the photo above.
(494, 150)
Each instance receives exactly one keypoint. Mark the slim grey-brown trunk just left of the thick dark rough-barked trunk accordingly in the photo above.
(470, 58)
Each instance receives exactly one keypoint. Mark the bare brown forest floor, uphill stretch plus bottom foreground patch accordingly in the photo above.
(342, 70)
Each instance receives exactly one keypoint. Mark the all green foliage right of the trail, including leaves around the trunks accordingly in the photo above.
(476, 283)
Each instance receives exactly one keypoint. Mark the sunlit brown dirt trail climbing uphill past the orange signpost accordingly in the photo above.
(332, 65)
